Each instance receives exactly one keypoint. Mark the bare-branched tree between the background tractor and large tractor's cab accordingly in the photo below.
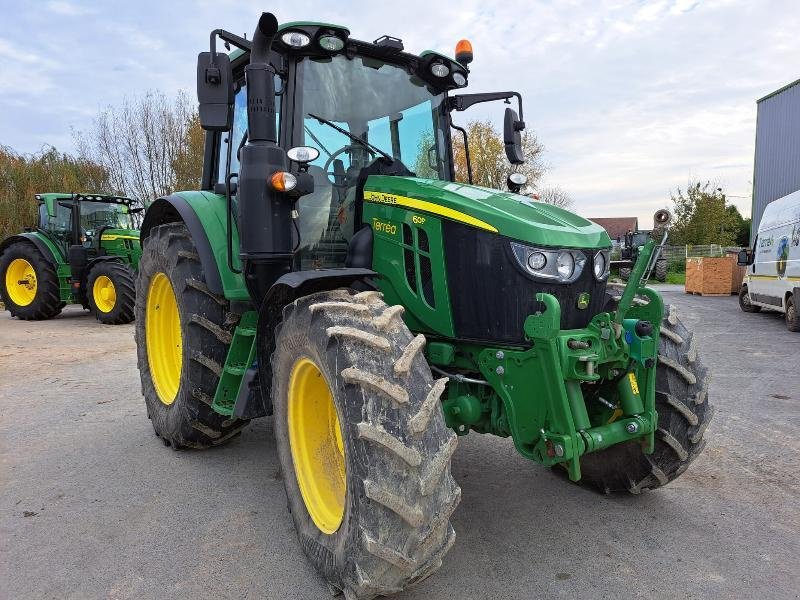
(150, 146)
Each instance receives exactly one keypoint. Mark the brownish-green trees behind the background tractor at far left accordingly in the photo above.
(23, 176)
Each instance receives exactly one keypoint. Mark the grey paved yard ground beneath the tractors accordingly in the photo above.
(92, 505)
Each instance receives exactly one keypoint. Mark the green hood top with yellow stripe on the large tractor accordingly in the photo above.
(511, 215)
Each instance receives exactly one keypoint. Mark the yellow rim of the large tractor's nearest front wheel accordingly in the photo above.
(315, 437)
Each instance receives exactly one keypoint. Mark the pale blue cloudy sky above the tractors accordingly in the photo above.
(631, 99)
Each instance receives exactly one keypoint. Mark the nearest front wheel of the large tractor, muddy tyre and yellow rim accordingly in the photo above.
(363, 446)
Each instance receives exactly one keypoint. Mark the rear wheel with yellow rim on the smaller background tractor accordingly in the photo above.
(28, 283)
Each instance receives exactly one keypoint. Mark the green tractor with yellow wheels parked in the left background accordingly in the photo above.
(85, 250)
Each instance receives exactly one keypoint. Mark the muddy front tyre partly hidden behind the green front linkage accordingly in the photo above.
(683, 415)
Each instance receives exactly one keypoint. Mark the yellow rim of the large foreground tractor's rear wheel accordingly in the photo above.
(162, 328)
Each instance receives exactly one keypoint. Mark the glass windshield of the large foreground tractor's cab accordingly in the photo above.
(378, 102)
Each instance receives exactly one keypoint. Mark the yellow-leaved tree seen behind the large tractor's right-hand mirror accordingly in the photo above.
(490, 167)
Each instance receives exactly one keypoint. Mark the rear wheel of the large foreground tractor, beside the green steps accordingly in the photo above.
(183, 332)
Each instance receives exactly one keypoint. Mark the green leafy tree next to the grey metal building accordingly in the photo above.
(702, 216)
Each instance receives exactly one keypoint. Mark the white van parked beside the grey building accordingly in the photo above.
(772, 281)
